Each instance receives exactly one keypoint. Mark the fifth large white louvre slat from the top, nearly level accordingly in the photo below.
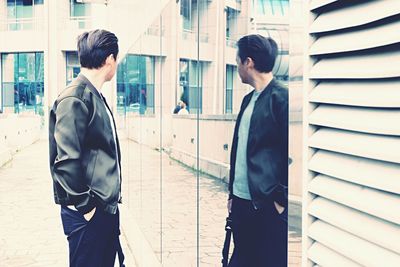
(367, 120)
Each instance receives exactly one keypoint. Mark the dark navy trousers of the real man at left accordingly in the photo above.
(92, 243)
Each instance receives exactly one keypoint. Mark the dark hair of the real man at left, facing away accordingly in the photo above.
(95, 46)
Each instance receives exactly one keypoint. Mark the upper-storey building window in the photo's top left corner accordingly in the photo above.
(21, 14)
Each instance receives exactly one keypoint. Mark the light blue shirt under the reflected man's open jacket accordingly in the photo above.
(241, 183)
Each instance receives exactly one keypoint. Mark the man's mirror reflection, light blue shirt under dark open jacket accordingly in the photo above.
(259, 161)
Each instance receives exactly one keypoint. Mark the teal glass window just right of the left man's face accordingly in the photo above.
(135, 85)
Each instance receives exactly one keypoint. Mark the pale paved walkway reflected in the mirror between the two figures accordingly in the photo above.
(177, 220)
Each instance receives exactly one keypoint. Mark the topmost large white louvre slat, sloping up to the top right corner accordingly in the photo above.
(355, 15)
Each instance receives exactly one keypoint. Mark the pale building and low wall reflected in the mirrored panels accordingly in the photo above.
(202, 73)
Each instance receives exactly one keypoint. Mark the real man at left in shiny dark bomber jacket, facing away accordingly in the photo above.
(85, 156)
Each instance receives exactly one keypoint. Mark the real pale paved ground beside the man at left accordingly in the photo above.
(30, 225)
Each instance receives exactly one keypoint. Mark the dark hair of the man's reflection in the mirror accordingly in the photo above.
(261, 50)
